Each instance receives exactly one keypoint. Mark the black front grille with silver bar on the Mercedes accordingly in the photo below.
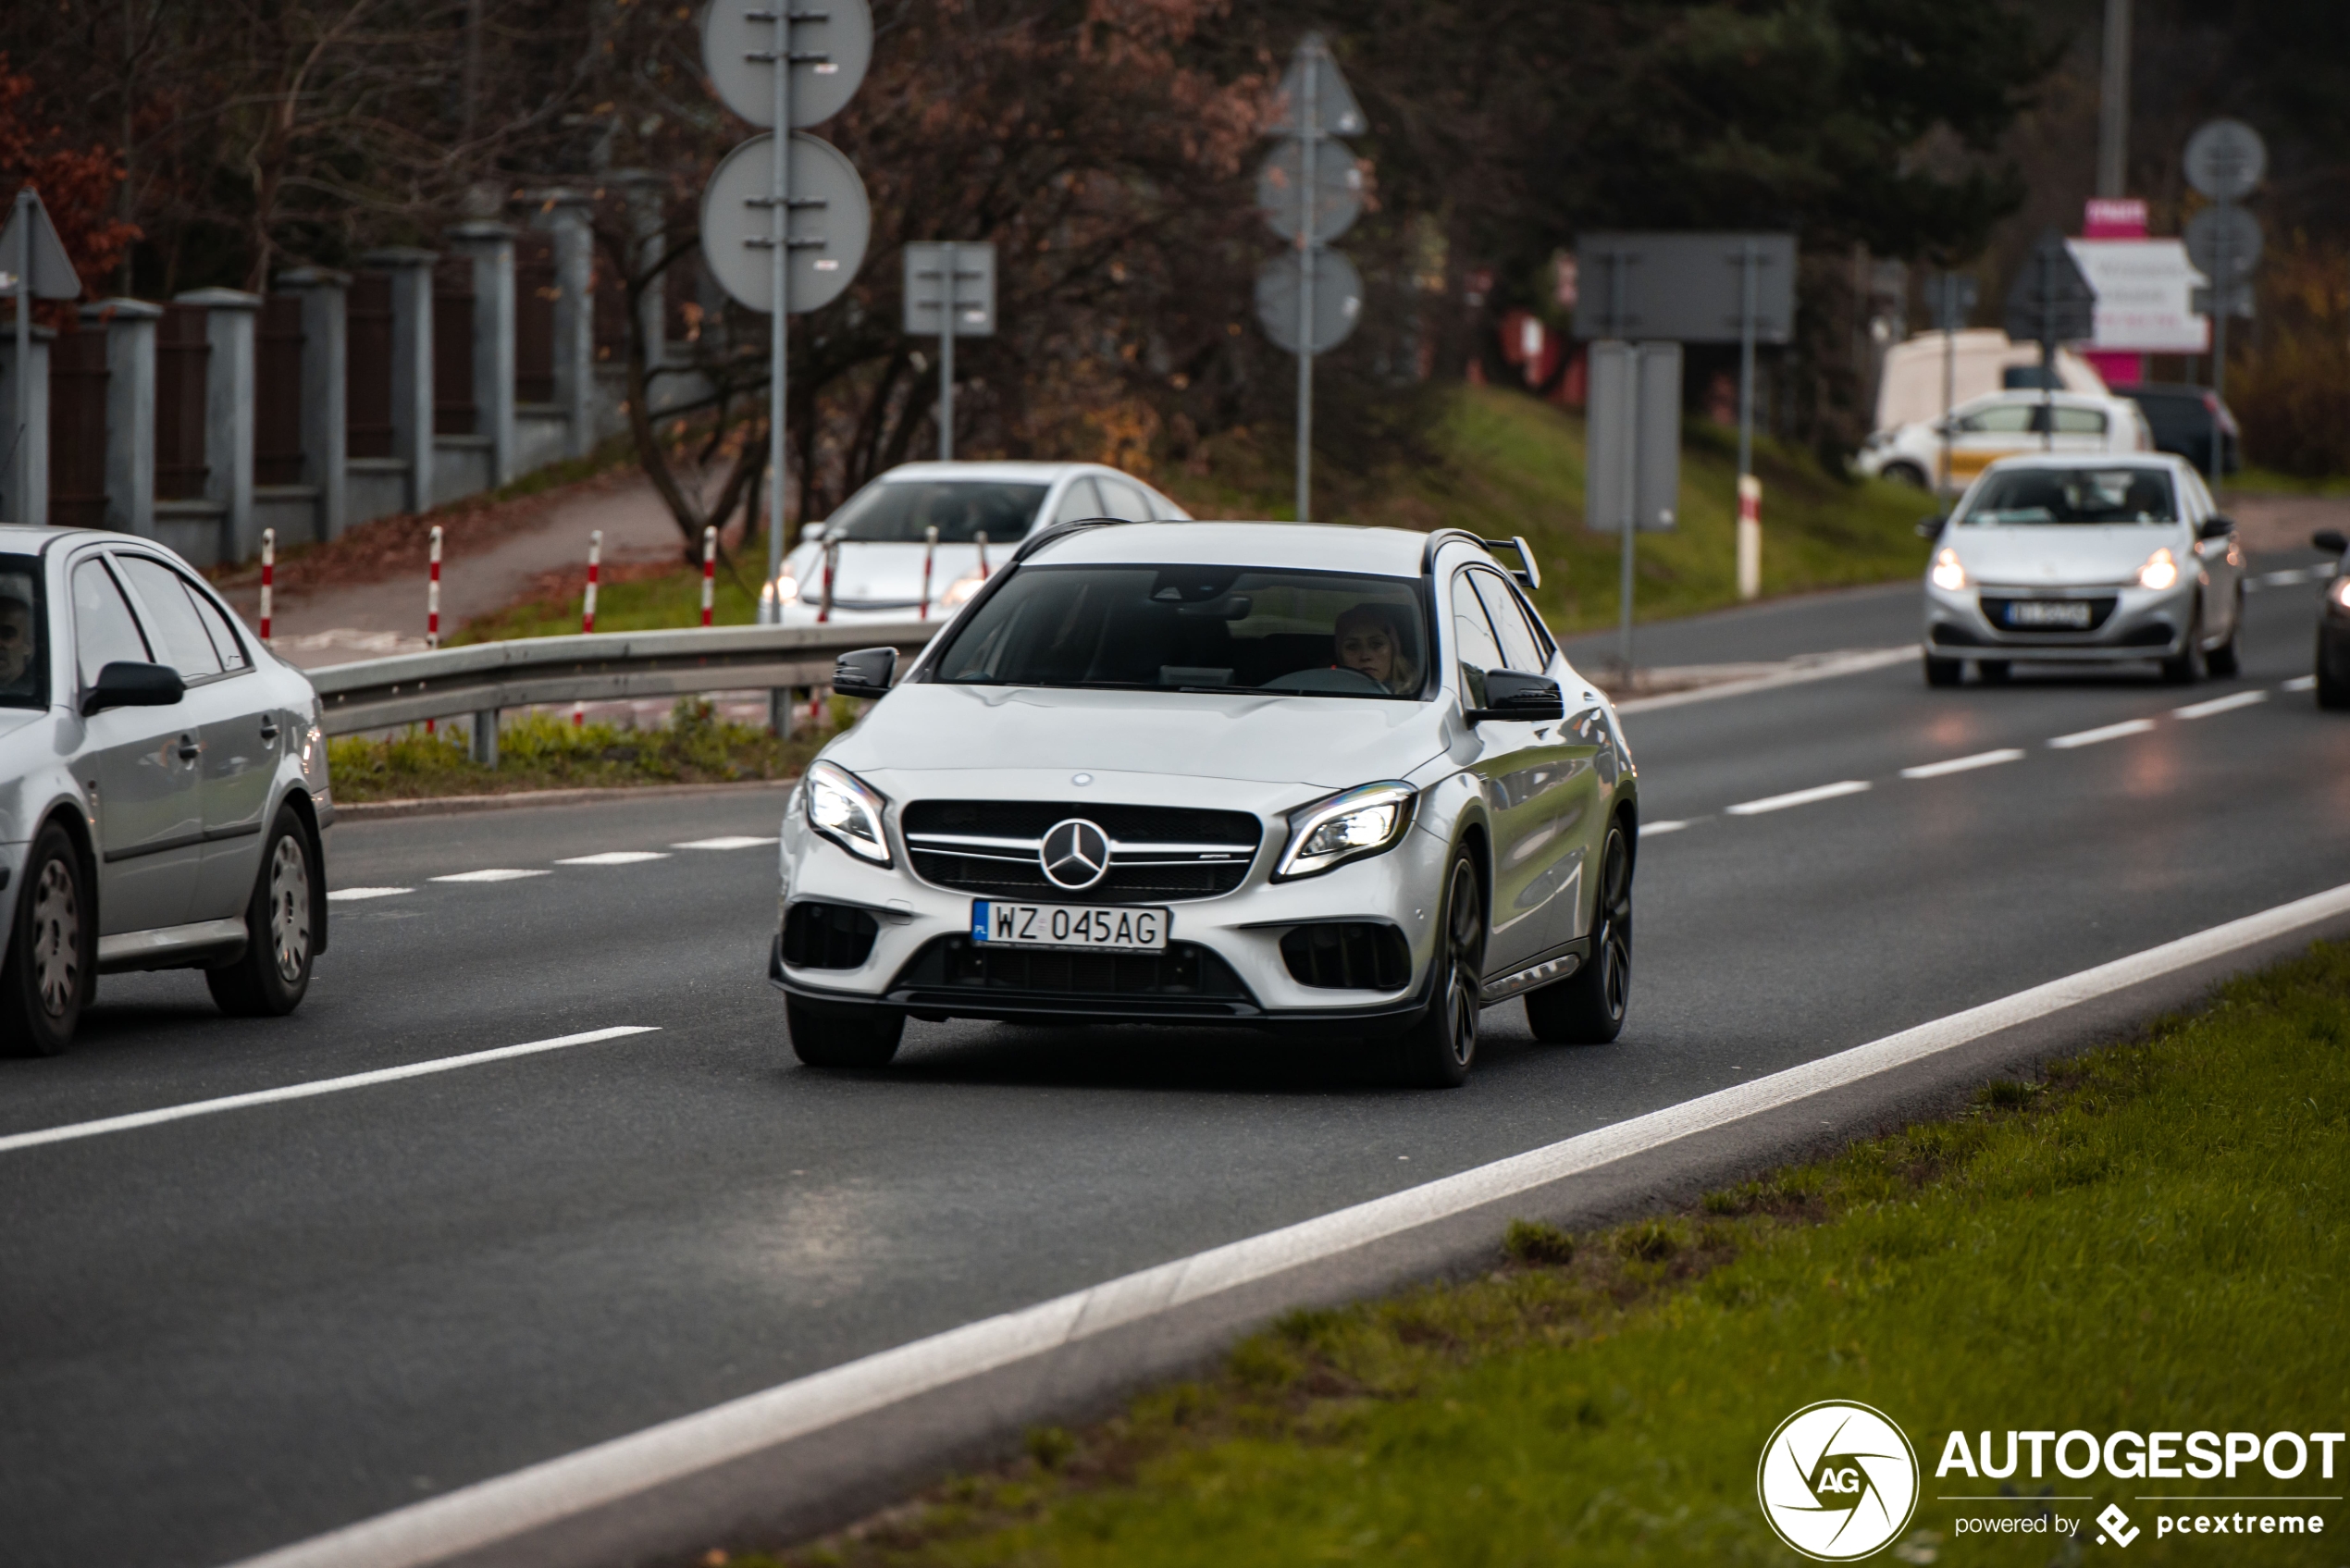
(988, 847)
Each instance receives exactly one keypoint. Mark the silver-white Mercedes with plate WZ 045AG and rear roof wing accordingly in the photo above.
(1200, 772)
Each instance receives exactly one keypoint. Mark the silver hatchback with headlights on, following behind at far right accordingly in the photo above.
(2060, 558)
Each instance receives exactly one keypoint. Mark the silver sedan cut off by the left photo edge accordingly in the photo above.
(163, 789)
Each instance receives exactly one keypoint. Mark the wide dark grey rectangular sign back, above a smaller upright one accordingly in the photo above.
(1684, 288)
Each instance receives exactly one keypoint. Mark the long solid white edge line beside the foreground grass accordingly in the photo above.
(624, 1468)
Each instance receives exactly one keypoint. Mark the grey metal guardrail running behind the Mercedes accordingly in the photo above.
(598, 666)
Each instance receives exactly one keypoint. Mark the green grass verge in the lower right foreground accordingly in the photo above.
(2149, 1238)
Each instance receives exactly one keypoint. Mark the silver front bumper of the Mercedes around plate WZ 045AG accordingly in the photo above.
(1240, 930)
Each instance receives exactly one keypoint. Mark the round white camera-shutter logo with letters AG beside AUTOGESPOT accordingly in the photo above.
(1839, 1480)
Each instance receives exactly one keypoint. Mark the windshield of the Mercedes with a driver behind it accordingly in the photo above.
(1197, 629)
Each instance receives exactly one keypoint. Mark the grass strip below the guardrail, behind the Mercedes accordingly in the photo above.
(549, 753)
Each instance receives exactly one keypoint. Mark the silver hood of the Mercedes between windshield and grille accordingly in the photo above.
(1327, 744)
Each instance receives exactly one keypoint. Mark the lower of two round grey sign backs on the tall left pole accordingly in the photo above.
(831, 222)
